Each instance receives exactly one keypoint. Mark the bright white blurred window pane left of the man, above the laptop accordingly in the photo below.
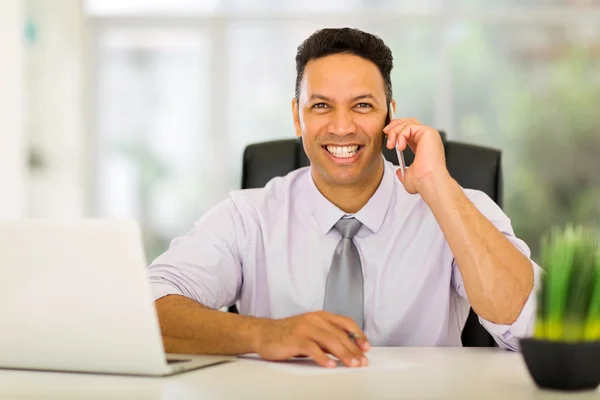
(154, 146)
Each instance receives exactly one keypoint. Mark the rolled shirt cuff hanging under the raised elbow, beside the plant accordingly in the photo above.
(508, 336)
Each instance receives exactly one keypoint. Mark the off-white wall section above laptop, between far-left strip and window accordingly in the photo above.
(56, 107)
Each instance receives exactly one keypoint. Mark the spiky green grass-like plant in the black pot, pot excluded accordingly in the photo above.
(569, 297)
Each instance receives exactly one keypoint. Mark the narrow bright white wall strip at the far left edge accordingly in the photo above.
(12, 155)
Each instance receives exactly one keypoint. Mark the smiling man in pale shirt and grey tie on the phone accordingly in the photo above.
(347, 253)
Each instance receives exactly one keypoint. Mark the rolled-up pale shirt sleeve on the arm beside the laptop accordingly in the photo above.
(204, 264)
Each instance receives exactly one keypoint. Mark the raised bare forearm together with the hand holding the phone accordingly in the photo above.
(498, 278)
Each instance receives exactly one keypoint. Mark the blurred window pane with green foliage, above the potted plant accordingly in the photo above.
(534, 92)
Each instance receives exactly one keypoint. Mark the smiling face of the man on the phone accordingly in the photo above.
(340, 115)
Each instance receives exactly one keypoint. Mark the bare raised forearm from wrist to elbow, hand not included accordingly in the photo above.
(497, 277)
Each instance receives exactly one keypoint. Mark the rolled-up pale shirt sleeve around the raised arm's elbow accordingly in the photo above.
(507, 336)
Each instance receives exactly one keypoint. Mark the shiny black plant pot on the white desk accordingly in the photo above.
(562, 365)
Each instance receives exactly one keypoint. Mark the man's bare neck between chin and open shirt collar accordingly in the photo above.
(351, 198)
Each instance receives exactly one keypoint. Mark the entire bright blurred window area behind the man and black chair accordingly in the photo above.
(182, 86)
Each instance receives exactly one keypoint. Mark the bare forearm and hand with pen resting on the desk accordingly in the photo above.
(191, 328)
